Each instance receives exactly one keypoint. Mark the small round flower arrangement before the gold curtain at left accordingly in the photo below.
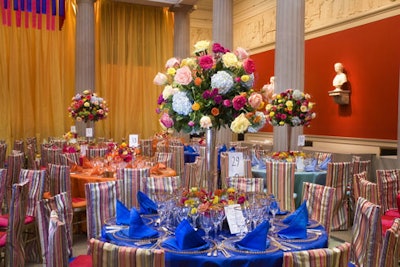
(87, 106)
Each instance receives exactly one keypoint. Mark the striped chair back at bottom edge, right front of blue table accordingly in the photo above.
(322, 257)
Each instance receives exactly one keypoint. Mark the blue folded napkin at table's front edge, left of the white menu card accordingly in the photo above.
(186, 238)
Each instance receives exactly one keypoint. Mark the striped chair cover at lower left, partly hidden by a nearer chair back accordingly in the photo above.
(62, 205)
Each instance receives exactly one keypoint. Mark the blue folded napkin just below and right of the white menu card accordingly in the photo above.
(255, 240)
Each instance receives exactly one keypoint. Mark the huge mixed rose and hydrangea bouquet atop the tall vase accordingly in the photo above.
(210, 91)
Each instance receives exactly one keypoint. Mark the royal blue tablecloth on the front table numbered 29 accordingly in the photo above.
(236, 260)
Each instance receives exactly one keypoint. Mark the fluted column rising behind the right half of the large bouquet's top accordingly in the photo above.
(223, 34)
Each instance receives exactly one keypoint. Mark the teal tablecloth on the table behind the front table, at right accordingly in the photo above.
(318, 177)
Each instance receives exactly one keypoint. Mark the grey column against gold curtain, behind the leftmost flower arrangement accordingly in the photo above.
(84, 61)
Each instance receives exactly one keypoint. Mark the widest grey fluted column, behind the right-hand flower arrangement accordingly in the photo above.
(289, 61)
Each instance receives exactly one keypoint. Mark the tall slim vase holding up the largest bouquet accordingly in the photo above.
(211, 169)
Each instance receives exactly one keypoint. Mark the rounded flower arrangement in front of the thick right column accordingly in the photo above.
(291, 107)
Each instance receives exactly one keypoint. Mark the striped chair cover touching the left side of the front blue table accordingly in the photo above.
(101, 201)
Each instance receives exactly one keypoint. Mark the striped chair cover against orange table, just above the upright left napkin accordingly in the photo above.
(129, 184)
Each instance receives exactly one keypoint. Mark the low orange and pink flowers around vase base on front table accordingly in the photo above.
(201, 200)
